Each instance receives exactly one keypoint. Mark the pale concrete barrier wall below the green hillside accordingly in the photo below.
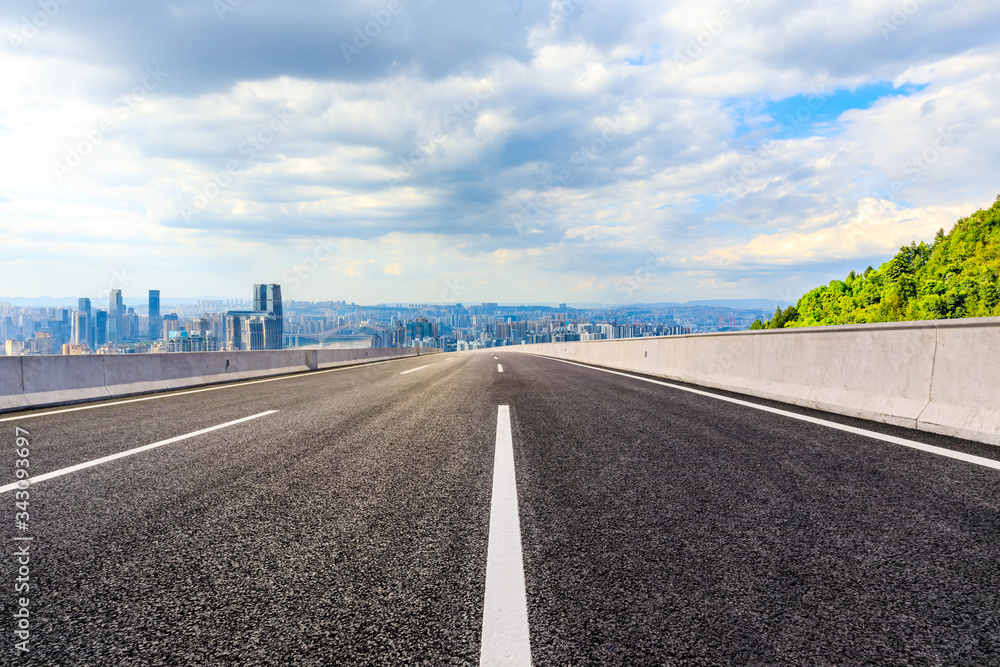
(941, 376)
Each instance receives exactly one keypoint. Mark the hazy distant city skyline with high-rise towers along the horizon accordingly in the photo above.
(266, 322)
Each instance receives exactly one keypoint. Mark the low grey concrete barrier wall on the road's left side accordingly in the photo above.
(39, 381)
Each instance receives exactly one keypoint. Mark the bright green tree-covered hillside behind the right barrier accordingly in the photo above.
(958, 275)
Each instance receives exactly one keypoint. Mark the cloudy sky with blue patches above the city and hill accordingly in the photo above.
(501, 150)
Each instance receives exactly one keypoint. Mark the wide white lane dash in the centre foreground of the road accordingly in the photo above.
(506, 640)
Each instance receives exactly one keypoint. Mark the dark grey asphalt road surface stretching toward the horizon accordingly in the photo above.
(352, 525)
